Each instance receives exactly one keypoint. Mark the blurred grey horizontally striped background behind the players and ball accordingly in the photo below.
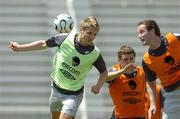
(24, 76)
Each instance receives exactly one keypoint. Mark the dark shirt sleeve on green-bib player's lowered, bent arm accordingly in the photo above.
(100, 64)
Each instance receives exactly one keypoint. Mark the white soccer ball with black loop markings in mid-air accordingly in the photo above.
(63, 23)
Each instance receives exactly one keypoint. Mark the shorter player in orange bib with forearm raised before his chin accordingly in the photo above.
(127, 86)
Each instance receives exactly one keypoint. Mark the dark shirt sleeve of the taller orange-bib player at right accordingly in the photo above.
(150, 75)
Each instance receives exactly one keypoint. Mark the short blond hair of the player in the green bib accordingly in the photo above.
(90, 22)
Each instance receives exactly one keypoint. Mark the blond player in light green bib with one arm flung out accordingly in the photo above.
(76, 54)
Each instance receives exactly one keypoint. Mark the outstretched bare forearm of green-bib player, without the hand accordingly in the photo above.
(36, 45)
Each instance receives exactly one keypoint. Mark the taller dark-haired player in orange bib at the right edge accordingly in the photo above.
(162, 60)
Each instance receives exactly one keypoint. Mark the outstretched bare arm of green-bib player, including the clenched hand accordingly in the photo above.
(36, 45)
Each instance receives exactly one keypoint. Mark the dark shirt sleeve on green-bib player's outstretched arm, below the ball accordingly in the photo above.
(56, 40)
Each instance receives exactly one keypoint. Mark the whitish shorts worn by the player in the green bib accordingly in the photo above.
(68, 104)
